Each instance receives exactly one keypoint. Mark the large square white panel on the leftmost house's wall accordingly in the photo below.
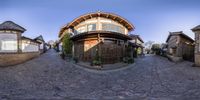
(8, 42)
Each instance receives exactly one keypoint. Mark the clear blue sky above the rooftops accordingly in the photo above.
(153, 19)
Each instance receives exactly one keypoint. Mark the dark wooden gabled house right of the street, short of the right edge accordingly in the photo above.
(180, 46)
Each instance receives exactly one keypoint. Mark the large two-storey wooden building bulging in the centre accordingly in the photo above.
(101, 33)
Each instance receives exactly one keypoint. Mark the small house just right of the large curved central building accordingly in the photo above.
(137, 45)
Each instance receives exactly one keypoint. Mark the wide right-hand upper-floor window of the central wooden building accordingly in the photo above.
(111, 27)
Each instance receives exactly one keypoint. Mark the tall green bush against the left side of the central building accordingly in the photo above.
(67, 44)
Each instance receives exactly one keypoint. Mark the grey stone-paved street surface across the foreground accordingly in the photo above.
(150, 78)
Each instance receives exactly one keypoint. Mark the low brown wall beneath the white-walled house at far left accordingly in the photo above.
(16, 58)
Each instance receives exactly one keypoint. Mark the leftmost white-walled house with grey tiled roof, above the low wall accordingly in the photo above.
(10, 35)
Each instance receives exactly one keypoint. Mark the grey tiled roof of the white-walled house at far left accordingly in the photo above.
(9, 25)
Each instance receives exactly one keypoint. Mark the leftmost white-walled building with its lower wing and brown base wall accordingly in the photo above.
(15, 48)
